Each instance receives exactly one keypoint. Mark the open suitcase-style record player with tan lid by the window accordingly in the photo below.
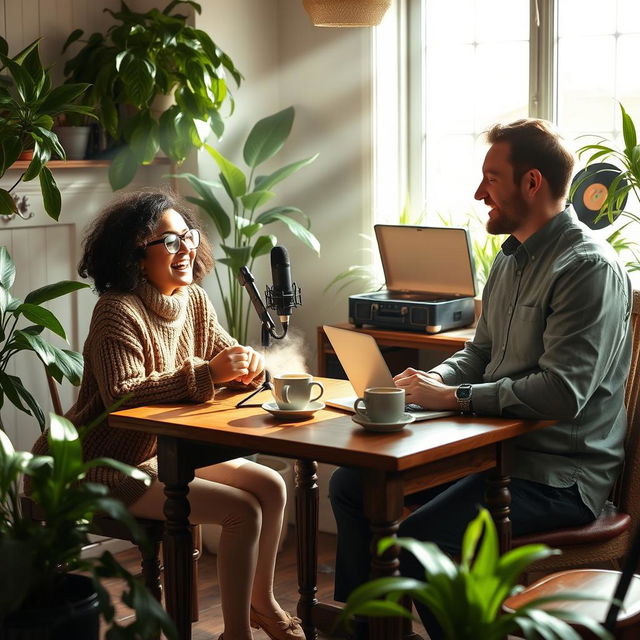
(430, 281)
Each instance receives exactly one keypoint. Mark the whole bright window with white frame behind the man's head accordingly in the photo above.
(471, 63)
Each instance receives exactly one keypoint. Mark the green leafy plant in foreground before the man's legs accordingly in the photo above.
(466, 597)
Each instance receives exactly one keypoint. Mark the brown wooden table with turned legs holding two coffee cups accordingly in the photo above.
(422, 455)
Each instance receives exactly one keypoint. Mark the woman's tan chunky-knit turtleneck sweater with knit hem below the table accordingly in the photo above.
(156, 348)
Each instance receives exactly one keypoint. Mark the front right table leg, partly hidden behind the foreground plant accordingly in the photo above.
(383, 503)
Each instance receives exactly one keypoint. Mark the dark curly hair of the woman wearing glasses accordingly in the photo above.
(112, 245)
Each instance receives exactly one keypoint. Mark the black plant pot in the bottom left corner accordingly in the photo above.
(77, 618)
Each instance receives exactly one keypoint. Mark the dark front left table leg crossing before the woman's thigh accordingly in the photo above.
(176, 473)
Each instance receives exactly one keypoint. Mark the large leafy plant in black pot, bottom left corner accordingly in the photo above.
(42, 595)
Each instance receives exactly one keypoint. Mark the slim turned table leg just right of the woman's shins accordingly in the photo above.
(307, 539)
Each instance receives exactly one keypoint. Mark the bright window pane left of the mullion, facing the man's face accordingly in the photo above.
(476, 61)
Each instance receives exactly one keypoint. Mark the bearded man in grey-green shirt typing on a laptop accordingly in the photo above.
(552, 343)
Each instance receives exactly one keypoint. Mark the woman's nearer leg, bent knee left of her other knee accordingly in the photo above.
(240, 515)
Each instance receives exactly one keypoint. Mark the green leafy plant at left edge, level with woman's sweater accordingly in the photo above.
(60, 363)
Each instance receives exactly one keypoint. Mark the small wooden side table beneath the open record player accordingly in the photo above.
(447, 341)
